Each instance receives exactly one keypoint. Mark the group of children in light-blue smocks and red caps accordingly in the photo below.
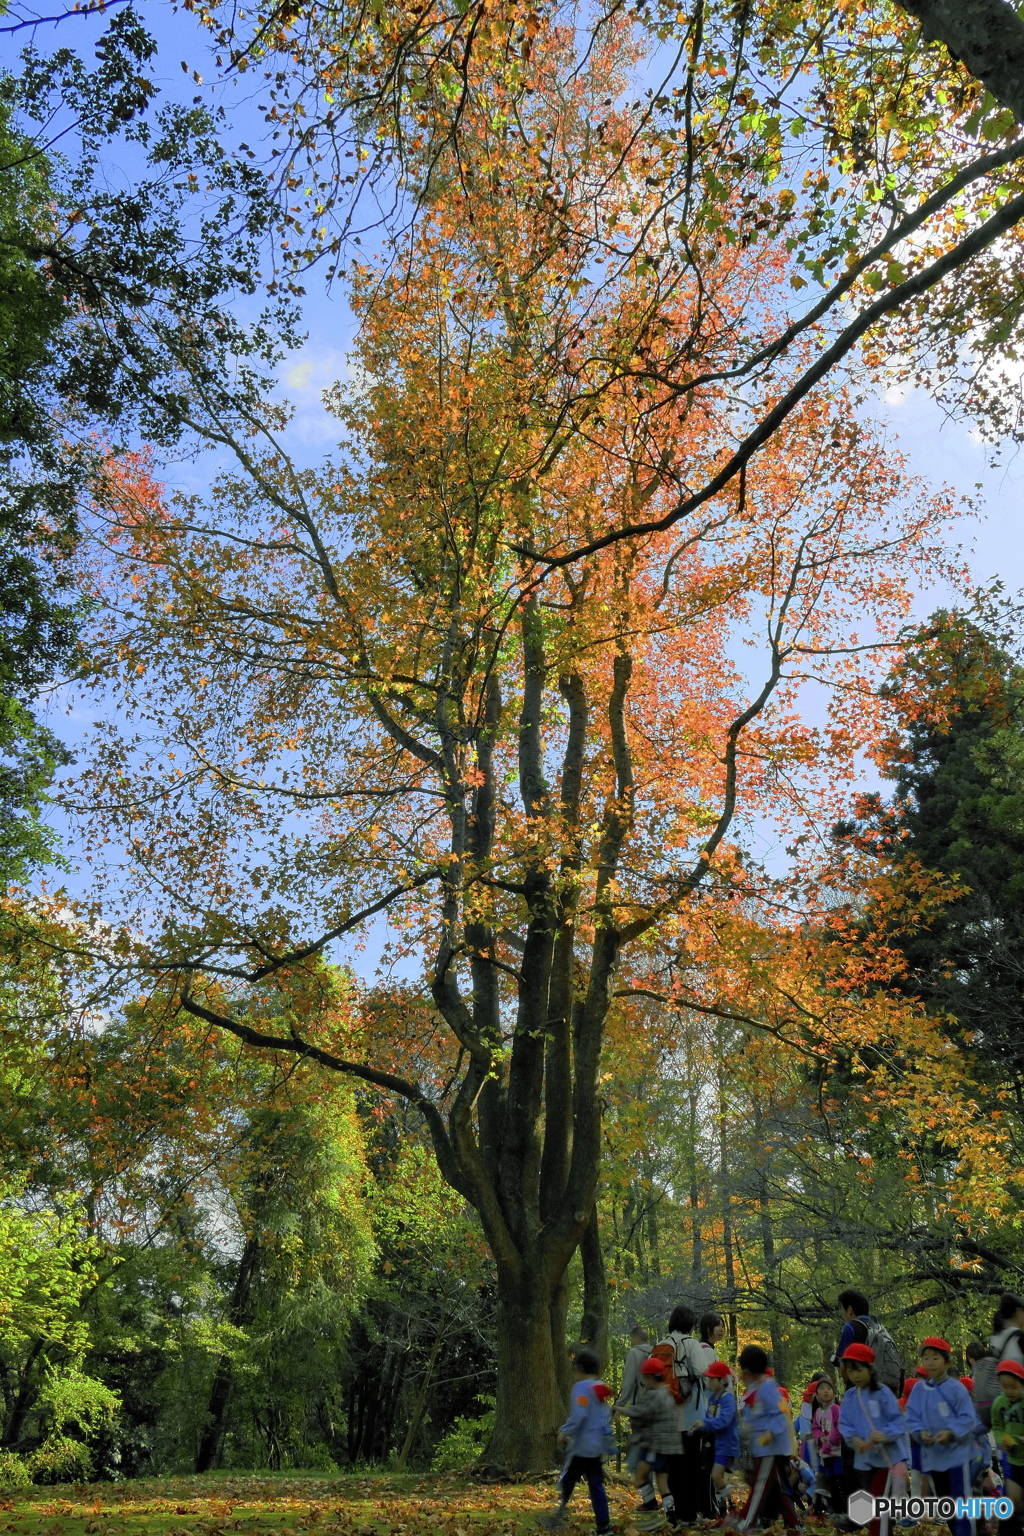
(930, 1440)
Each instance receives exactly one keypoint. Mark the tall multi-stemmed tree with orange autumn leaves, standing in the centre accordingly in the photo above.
(360, 690)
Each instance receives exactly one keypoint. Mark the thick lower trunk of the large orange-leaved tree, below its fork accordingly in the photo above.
(529, 1406)
